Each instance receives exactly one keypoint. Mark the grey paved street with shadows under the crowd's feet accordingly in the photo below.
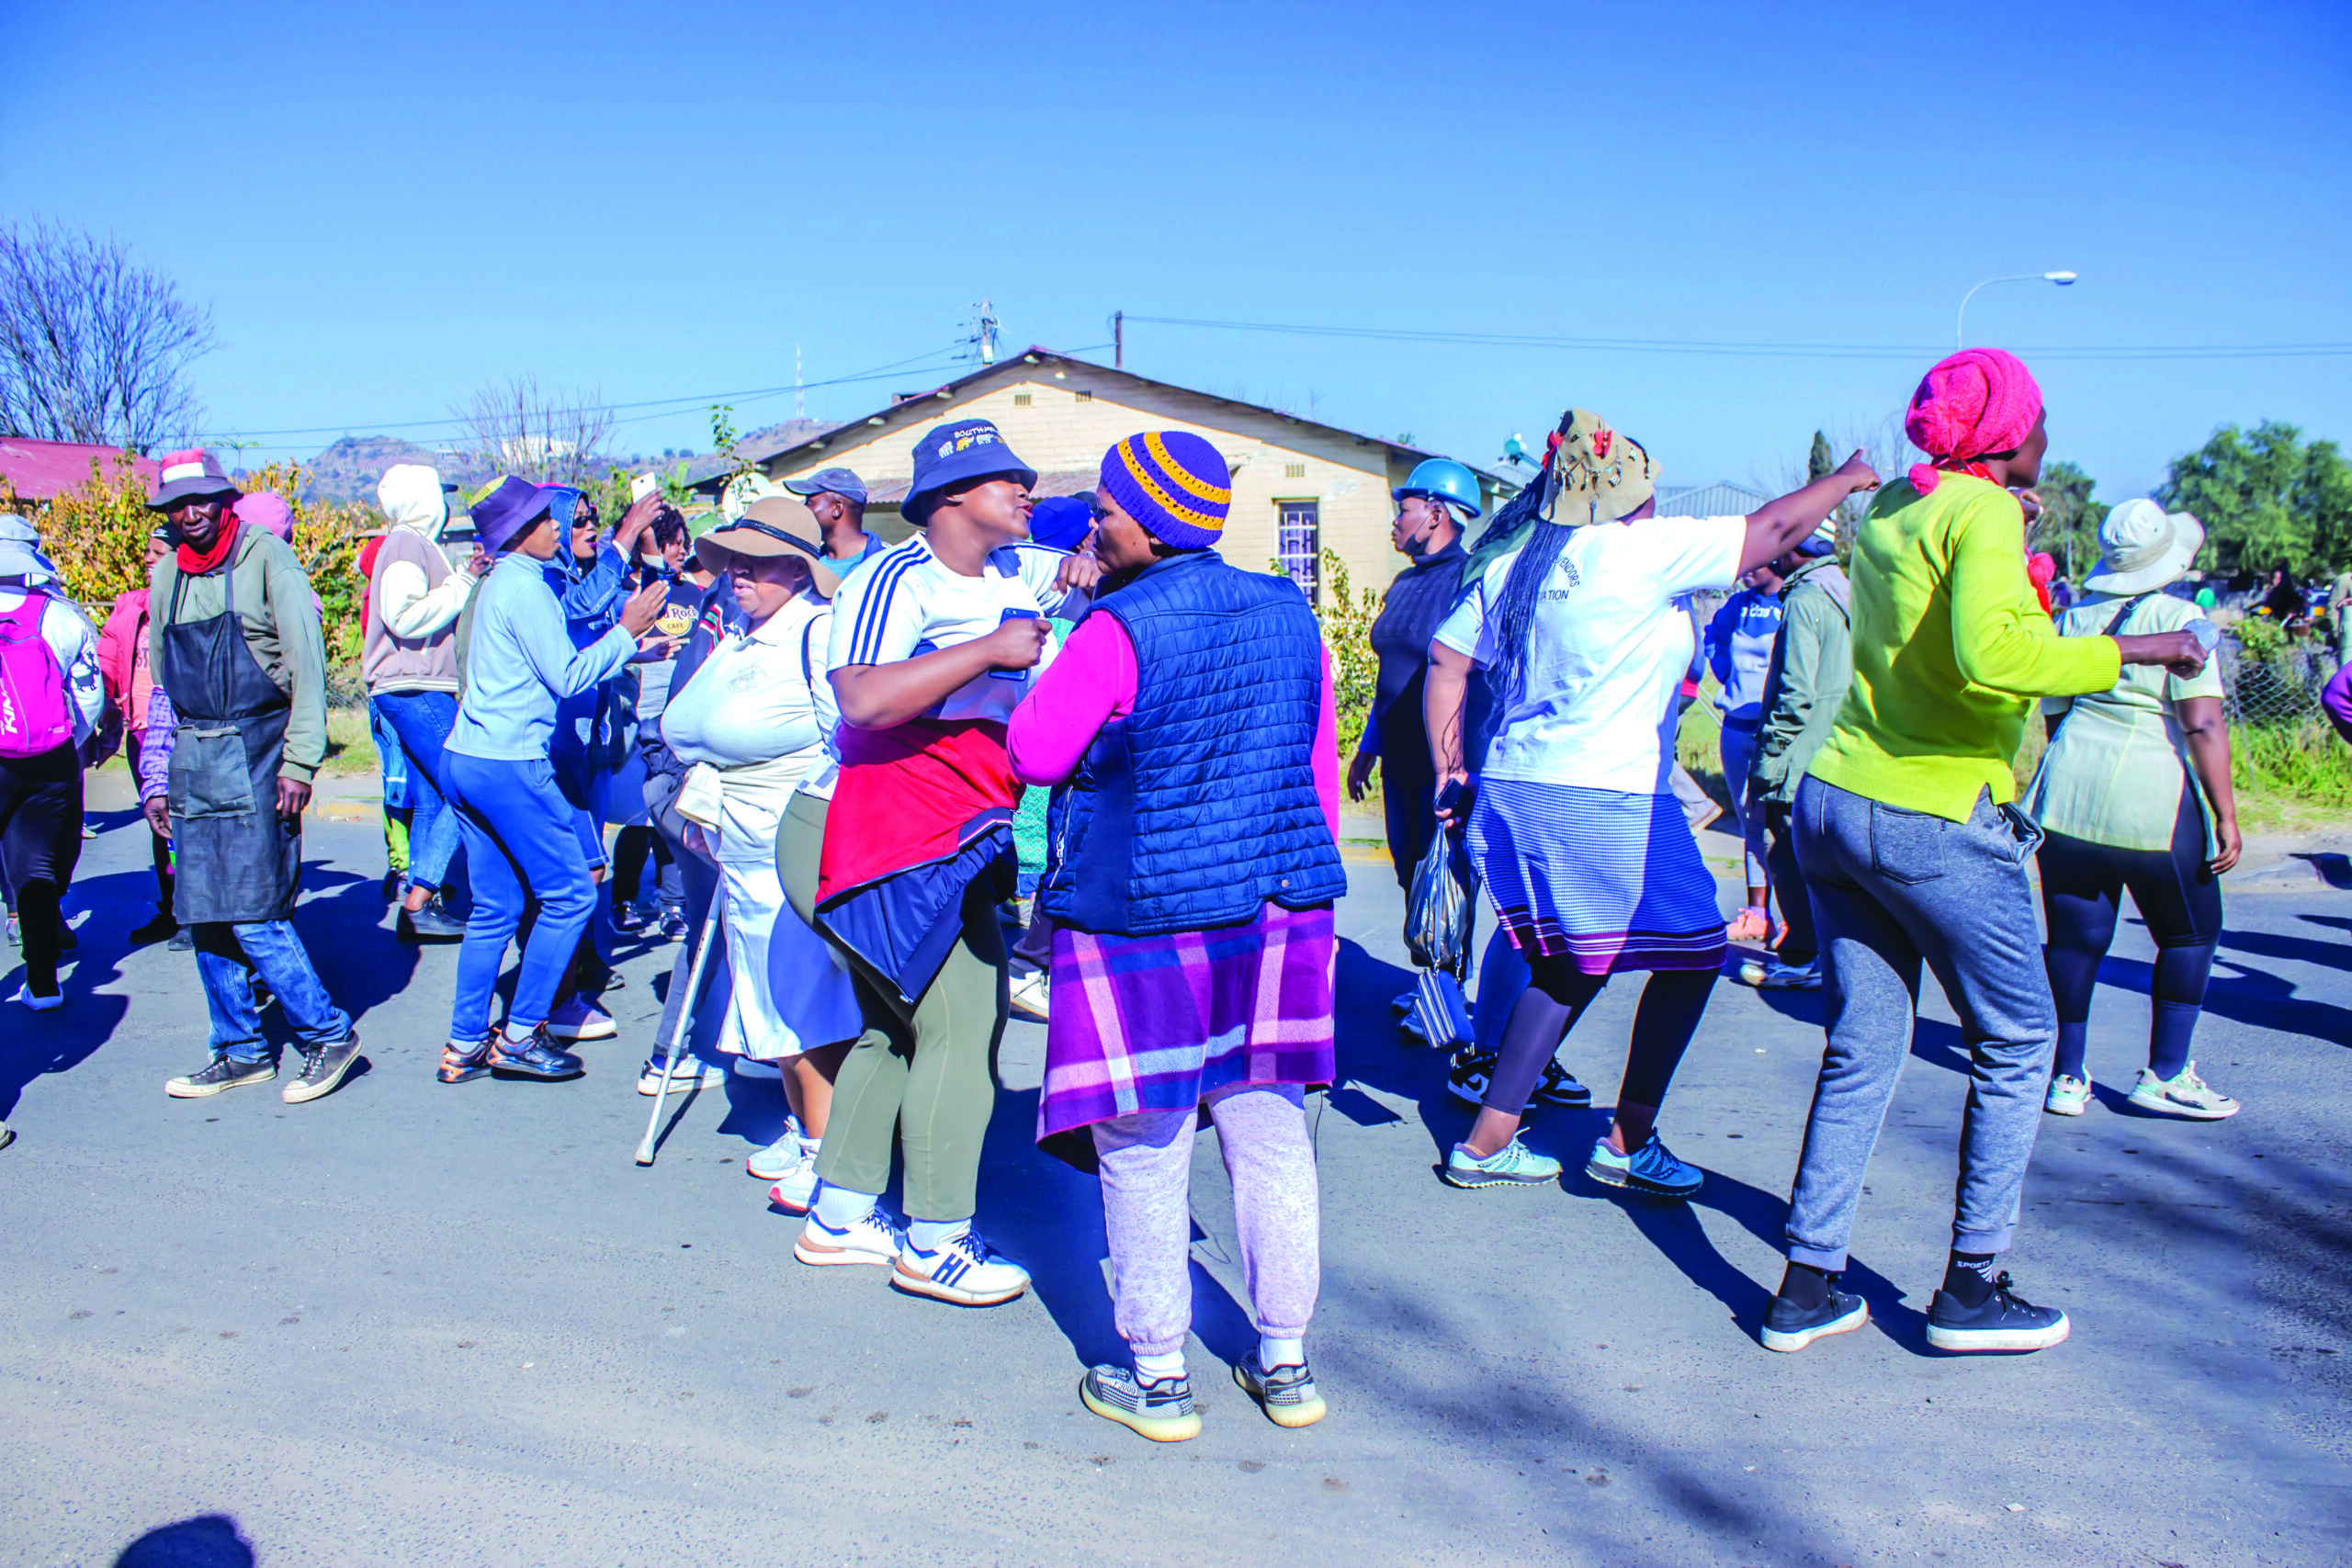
(420, 1325)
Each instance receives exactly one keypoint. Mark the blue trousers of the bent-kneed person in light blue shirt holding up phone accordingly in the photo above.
(519, 847)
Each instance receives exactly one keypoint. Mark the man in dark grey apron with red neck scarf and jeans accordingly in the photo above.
(236, 645)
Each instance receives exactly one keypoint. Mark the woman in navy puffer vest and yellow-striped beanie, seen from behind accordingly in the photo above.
(1191, 876)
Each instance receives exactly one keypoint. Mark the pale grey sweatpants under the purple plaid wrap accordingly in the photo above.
(1149, 1214)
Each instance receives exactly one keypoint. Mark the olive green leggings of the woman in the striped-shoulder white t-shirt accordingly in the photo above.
(926, 1073)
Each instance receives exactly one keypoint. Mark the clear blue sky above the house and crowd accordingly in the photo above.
(389, 208)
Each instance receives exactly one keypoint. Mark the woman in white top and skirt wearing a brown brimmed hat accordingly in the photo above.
(756, 721)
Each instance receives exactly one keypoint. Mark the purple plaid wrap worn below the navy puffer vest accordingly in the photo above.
(1161, 1021)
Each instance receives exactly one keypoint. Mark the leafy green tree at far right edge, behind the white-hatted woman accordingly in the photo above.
(2264, 497)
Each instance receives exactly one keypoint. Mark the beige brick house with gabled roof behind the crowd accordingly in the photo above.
(1299, 488)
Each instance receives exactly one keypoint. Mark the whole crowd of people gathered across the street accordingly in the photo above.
(803, 751)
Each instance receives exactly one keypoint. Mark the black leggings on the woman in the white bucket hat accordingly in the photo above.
(2083, 890)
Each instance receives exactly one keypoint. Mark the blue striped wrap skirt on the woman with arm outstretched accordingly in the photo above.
(1608, 880)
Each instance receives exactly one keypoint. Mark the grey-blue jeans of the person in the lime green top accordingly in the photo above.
(1895, 890)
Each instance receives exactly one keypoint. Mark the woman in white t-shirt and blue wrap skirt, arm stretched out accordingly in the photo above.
(1577, 833)
